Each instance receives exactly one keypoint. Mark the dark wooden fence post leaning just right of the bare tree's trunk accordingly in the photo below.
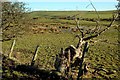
(82, 59)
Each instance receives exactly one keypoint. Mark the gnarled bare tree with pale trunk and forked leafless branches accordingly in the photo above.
(77, 53)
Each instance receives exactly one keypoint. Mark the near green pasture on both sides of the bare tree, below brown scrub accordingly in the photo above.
(101, 53)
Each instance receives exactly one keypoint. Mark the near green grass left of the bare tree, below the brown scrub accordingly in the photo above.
(50, 45)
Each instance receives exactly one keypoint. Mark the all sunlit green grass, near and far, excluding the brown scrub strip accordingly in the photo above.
(101, 55)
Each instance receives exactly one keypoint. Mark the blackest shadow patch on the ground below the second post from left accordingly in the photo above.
(39, 73)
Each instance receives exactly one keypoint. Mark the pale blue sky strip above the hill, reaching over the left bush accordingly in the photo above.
(61, 5)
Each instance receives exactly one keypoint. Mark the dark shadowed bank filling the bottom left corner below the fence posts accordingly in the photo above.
(11, 70)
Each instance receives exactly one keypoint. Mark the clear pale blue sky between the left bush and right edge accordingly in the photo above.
(61, 6)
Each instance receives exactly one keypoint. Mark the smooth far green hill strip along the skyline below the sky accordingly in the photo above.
(83, 14)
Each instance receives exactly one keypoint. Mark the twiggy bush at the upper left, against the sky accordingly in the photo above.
(13, 17)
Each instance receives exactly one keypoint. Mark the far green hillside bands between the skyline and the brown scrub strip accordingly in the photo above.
(45, 17)
